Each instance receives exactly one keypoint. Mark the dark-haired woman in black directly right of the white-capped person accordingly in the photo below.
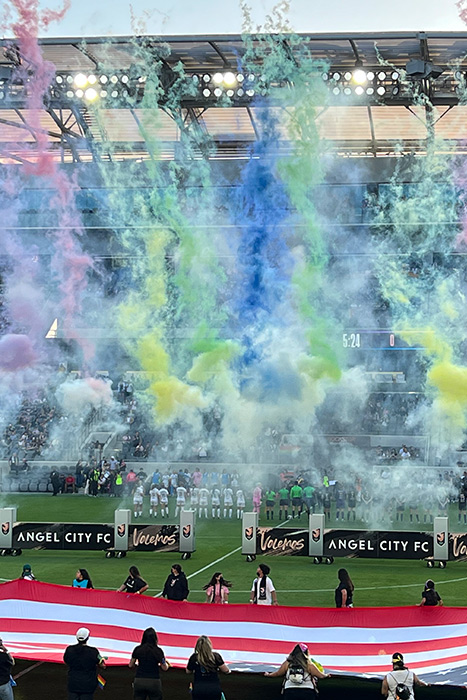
(148, 658)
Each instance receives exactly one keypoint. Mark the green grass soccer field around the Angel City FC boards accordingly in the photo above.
(298, 581)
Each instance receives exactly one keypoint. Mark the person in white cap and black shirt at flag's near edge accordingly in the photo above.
(83, 663)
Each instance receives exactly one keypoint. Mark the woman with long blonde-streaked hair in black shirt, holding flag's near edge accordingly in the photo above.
(205, 664)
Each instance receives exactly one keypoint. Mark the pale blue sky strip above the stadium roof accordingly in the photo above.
(200, 17)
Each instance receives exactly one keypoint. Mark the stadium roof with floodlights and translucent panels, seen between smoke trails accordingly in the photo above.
(351, 124)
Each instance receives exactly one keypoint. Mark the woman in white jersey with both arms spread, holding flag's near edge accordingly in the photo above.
(301, 674)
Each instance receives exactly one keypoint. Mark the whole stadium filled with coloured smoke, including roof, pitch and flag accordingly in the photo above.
(234, 265)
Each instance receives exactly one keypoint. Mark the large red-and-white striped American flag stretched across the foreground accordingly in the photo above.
(38, 620)
